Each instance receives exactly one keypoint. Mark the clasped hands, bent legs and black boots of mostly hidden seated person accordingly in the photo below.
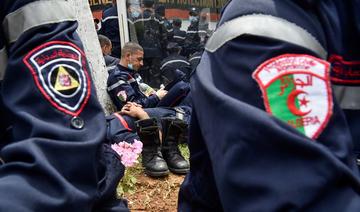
(160, 154)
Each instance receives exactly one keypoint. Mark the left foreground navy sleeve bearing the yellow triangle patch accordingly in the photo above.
(57, 122)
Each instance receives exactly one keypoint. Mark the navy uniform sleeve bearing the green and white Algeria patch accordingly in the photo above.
(246, 156)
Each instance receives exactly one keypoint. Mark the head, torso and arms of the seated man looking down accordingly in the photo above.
(123, 84)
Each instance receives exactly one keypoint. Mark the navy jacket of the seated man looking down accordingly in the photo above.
(122, 86)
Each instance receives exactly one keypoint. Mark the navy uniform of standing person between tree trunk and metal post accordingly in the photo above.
(110, 28)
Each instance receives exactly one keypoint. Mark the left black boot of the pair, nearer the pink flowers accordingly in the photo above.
(152, 159)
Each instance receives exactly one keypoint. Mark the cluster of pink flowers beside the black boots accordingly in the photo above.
(129, 153)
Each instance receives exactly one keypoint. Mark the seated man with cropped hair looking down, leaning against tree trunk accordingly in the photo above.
(125, 85)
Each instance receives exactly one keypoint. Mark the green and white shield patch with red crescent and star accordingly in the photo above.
(296, 89)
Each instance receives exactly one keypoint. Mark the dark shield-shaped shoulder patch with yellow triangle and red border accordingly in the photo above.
(60, 73)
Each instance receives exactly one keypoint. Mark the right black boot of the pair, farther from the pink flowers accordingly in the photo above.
(172, 128)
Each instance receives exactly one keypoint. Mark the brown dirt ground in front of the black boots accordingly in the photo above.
(155, 194)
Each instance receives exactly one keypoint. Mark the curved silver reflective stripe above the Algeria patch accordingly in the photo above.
(267, 26)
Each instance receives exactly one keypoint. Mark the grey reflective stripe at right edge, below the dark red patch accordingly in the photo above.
(348, 97)
